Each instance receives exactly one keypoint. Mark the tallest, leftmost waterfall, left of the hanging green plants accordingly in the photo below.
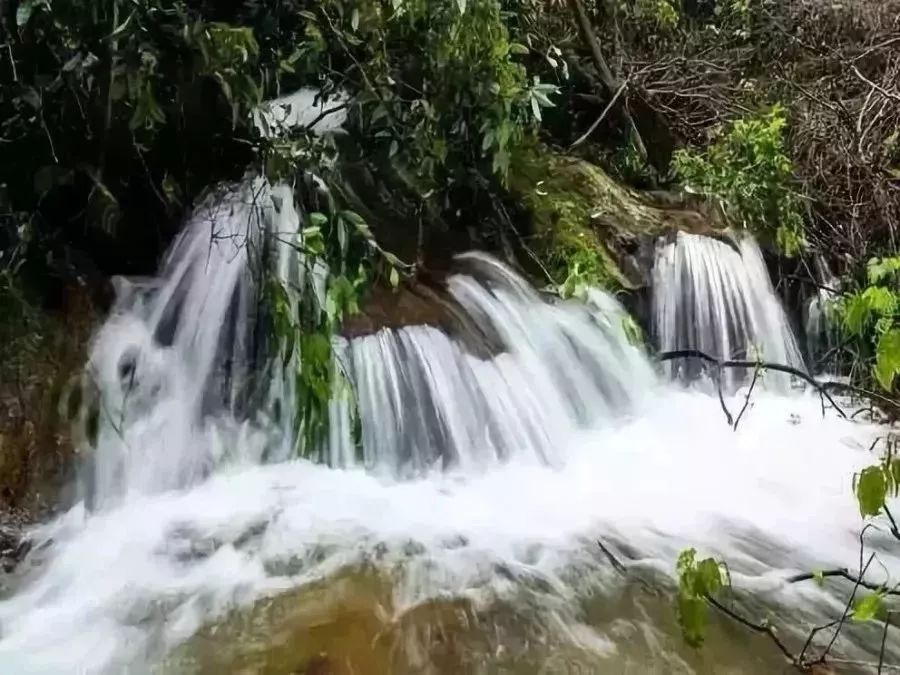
(179, 349)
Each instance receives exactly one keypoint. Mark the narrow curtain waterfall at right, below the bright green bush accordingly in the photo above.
(718, 298)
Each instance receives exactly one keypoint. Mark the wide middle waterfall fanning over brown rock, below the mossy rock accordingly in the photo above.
(424, 399)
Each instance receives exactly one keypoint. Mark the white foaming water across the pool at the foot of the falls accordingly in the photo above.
(772, 498)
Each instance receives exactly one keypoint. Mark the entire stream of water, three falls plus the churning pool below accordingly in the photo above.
(464, 537)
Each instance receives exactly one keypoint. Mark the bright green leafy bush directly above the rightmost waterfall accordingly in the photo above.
(748, 169)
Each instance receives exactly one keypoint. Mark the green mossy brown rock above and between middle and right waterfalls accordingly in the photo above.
(581, 215)
